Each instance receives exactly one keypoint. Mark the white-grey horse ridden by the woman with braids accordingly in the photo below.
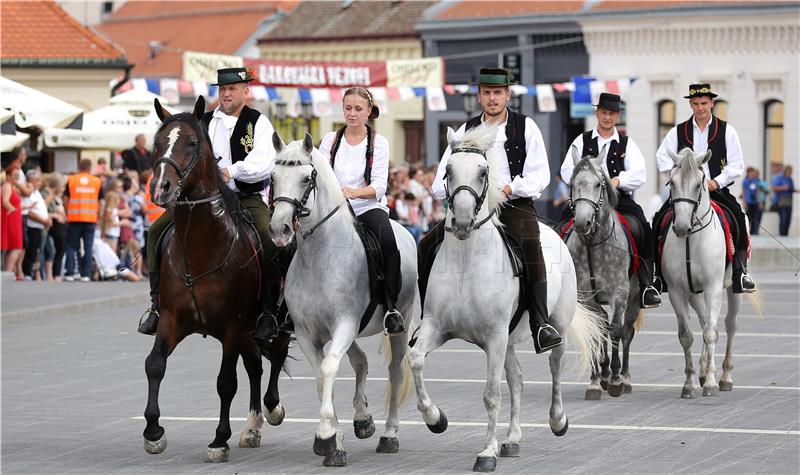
(327, 291)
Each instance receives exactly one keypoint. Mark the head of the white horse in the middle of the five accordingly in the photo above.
(471, 169)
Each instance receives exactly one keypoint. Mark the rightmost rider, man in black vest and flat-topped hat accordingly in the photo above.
(703, 132)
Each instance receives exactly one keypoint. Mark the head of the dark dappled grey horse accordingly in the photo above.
(592, 196)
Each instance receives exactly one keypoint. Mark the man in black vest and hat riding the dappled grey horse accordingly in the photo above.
(625, 165)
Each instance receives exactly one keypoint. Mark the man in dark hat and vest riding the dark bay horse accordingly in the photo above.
(241, 139)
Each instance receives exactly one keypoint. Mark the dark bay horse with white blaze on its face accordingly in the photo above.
(210, 276)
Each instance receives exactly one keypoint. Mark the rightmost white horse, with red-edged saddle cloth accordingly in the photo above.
(698, 242)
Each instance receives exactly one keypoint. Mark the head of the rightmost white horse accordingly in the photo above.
(688, 189)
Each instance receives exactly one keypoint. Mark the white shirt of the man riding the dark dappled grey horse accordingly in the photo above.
(630, 179)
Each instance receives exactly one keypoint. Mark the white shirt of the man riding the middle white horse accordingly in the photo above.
(535, 173)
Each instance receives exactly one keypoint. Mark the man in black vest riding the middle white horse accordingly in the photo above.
(522, 178)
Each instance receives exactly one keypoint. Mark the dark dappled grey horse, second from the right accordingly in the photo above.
(599, 248)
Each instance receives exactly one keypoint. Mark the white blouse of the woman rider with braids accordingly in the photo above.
(349, 169)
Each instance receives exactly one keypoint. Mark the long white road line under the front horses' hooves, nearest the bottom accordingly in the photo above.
(717, 430)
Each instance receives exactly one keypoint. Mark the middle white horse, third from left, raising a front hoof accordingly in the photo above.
(472, 294)
